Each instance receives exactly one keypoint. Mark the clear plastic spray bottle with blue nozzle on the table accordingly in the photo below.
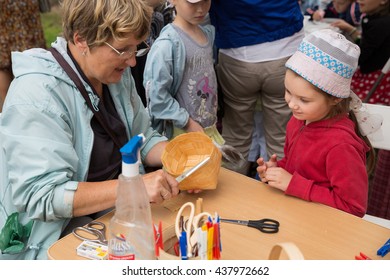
(131, 228)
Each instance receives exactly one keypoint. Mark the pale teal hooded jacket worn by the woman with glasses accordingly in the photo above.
(47, 142)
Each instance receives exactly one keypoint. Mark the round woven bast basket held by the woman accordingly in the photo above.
(187, 150)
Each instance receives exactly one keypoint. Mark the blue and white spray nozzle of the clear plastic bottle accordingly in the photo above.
(131, 156)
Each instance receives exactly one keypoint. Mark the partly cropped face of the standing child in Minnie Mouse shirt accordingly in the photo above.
(193, 13)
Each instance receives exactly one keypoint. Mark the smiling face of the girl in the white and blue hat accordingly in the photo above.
(305, 100)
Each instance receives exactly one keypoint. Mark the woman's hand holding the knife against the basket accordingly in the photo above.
(160, 186)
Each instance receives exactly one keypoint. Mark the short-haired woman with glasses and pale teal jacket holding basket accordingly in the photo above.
(61, 161)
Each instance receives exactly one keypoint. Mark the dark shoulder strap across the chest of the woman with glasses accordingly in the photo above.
(75, 78)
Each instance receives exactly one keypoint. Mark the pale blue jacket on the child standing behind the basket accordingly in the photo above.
(163, 75)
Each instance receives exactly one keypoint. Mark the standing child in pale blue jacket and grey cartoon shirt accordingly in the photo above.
(179, 75)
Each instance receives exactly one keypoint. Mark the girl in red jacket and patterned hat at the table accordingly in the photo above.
(325, 153)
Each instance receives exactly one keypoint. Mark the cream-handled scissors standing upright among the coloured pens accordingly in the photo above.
(189, 226)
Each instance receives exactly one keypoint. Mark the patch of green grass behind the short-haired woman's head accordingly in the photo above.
(51, 23)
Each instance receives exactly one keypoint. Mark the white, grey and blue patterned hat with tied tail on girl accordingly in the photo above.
(328, 60)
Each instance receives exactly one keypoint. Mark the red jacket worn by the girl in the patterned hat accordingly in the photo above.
(328, 163)
